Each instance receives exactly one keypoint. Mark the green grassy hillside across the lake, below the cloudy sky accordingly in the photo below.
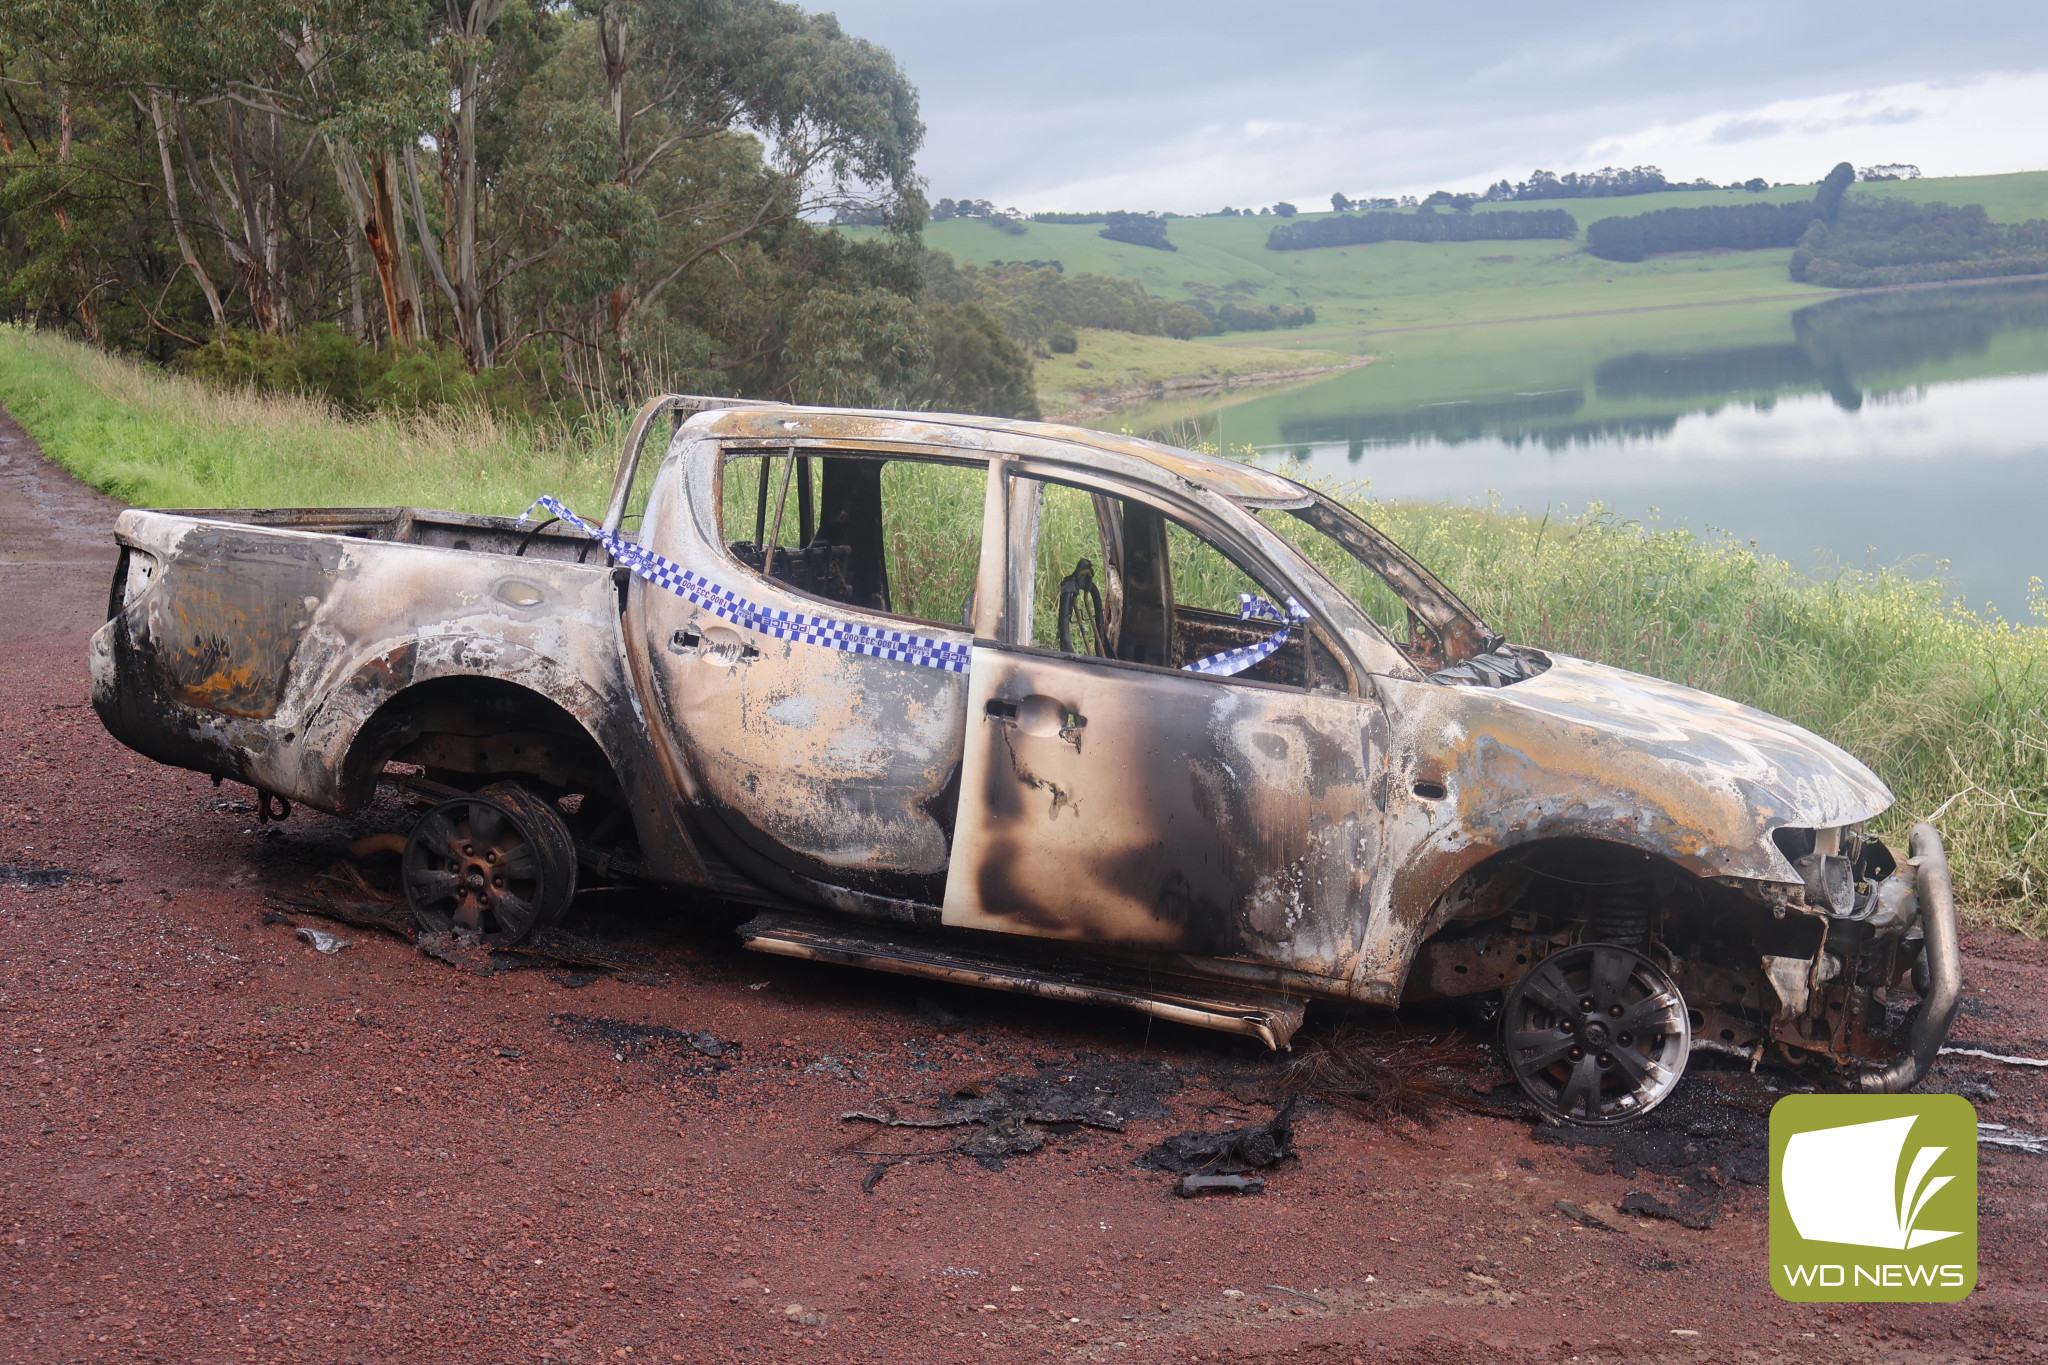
(1394, 285)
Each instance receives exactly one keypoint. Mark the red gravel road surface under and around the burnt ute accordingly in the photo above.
(226, 1147)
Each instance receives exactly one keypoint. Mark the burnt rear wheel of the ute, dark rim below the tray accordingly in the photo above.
(499, 863)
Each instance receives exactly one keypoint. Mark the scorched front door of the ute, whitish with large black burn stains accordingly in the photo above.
(1123, 803)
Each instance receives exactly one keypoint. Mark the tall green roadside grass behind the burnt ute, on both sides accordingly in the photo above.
(1949, 707)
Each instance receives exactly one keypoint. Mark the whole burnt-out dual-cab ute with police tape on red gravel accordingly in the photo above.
(1048, 711)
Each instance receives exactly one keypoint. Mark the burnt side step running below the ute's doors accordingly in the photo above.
(1267, 1016)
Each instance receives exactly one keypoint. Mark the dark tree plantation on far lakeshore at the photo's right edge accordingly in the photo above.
(1891, 243)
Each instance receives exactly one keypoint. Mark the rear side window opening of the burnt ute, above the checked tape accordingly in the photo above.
(884, 535)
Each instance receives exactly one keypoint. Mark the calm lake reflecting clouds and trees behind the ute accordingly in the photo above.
(1904, 429)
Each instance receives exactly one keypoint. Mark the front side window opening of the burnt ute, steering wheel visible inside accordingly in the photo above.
(1115, 578)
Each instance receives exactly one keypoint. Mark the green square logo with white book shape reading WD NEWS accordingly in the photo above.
(1873, 1198)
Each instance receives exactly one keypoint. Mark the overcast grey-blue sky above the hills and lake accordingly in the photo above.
(1197, 105)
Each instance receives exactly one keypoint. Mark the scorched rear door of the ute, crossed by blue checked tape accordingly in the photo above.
(808, 756)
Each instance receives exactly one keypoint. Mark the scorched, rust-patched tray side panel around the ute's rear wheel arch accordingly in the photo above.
(308, 662)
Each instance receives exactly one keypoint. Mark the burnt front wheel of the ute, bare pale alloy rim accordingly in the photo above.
(1596, 1034)
